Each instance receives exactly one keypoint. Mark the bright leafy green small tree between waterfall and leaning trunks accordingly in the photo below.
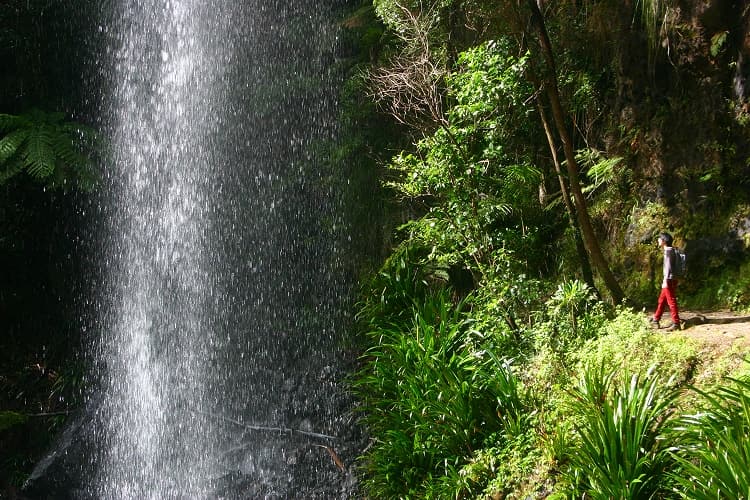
(476, 189)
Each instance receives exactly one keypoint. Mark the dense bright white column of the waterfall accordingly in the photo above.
(158, 331)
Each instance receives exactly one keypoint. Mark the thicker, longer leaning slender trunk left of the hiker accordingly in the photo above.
(584, 221)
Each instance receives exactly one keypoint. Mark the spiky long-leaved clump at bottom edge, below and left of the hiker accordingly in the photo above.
(620, 429)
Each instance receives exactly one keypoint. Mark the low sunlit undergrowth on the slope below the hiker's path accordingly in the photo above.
(590, 406)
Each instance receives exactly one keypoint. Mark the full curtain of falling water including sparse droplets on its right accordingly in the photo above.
(219, 315)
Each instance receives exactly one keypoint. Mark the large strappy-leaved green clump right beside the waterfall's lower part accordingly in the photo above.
(430, 398)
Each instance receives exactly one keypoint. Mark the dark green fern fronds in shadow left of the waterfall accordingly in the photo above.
(47, 148)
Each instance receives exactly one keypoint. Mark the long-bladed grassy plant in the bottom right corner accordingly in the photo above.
(715, 450)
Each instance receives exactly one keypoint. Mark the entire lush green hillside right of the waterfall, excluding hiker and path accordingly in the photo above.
(538, 153)
